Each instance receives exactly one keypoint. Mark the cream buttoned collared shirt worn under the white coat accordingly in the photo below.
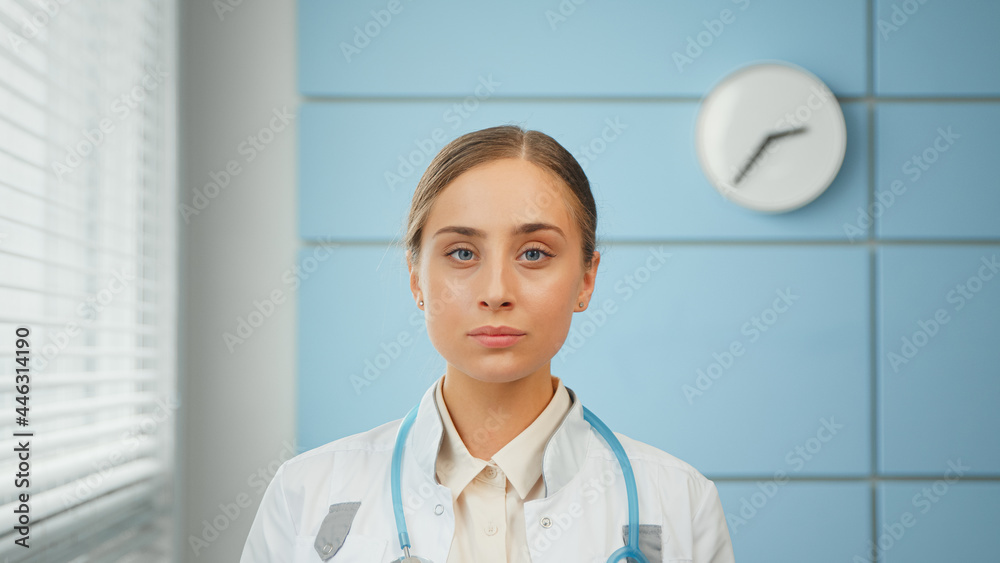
(489, 495)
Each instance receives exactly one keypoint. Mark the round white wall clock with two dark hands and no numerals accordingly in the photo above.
(770, 137)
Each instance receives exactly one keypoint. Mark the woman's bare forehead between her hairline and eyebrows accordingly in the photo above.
(504, 192)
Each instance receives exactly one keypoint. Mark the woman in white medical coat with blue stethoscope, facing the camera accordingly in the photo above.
(500, 461)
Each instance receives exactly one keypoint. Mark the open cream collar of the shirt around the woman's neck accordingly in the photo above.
(520, 459)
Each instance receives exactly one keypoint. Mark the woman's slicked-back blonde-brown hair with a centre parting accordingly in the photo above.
(495, 143)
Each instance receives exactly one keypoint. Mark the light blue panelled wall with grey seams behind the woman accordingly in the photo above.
(874, 381)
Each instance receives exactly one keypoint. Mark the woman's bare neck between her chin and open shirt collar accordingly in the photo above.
(489, 415)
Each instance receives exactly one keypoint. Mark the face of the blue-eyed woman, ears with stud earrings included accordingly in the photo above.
(500, 249)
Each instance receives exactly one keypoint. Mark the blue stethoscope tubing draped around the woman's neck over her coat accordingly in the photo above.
(630, 549)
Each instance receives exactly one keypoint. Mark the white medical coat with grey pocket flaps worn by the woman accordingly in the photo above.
(580, 519)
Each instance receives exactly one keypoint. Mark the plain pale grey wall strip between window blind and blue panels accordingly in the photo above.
(238, 408)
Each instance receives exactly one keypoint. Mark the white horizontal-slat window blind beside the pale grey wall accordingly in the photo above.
(88, 267)
